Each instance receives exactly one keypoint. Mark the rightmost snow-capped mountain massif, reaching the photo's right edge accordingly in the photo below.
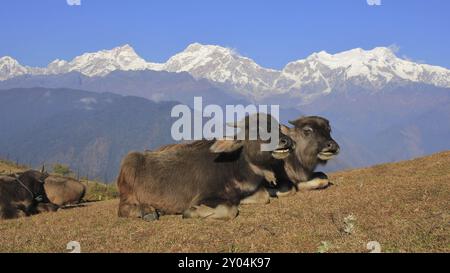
(373, 69)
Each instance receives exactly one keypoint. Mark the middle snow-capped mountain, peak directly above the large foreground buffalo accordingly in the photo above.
(224, 66)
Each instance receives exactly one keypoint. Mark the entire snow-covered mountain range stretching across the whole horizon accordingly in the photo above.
(318, 74)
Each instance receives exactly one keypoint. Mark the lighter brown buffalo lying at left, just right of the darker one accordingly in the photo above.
(63, 191)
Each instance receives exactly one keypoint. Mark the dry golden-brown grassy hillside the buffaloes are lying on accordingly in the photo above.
(404, 206)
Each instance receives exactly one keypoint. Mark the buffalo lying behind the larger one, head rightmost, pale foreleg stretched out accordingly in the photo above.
(313, 146)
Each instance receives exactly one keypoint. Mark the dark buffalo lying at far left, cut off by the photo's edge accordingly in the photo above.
(21, 195)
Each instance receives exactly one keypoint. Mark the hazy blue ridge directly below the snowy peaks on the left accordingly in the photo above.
(153, 85)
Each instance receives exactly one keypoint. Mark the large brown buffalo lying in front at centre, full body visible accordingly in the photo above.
(202, 179)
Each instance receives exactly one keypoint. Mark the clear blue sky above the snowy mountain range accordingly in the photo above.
(270, 32)
